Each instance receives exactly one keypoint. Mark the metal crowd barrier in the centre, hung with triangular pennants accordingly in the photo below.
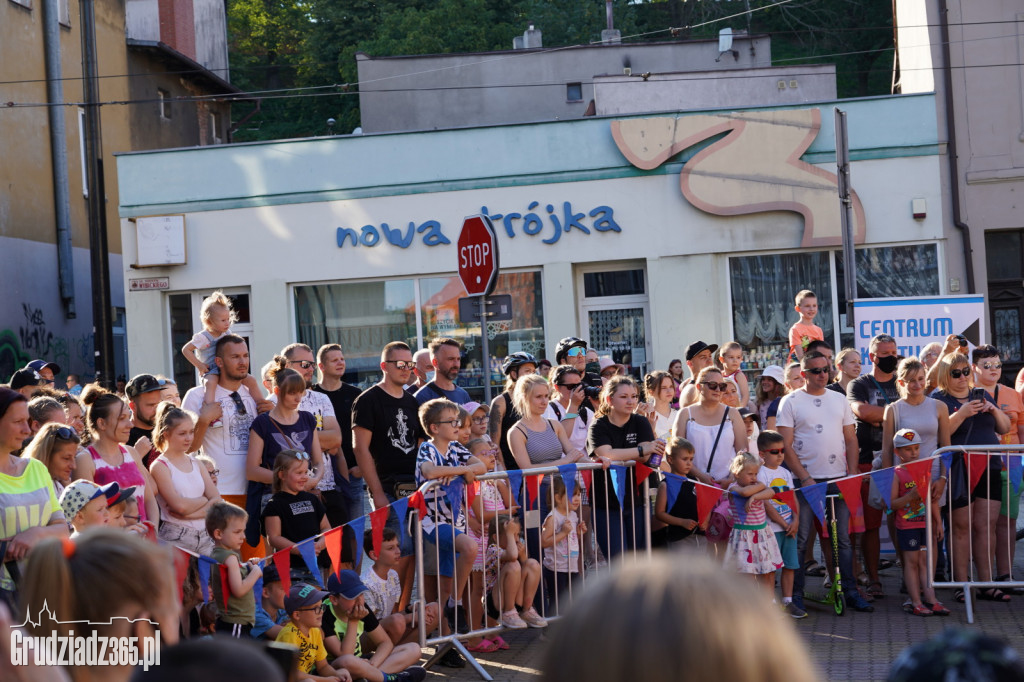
(531, 522)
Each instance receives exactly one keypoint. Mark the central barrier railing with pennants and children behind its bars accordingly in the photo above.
(621, 531)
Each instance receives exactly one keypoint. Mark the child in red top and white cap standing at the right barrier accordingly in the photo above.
(911, 533)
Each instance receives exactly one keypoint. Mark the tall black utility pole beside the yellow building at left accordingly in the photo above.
(99, 250)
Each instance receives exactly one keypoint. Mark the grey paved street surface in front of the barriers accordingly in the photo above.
(855, 647)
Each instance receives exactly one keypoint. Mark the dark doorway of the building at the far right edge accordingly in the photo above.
(1005, 258)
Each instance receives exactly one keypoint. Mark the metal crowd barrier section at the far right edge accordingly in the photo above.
(978, 538)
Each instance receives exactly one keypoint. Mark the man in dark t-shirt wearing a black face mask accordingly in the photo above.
(869, 396)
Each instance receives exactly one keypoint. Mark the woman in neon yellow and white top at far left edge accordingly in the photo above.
(32, 510)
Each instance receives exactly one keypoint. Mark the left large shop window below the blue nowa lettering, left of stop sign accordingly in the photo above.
(363, 317)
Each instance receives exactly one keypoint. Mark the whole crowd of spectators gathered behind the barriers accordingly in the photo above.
(247, 466)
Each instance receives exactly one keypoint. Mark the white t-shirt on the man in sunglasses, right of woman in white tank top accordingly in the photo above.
(818, 423)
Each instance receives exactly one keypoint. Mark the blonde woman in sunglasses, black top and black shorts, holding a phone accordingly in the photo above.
(973, 421)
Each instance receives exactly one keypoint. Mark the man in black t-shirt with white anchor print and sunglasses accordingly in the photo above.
(387, 435)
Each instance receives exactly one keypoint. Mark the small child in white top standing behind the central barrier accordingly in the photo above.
(562, 537)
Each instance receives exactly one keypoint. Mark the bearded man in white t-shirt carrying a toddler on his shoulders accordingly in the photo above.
(237, 410)
